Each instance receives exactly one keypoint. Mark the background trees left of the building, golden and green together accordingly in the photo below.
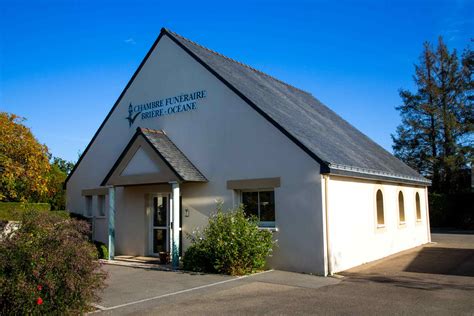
(28, 172)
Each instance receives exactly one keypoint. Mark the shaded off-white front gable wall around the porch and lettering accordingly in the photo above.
(226, 140)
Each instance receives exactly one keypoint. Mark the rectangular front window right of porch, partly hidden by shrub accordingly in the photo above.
(260, 204)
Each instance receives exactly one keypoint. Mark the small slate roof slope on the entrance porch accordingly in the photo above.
(172, 155)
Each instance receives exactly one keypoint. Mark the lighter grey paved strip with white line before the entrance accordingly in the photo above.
(131, 289)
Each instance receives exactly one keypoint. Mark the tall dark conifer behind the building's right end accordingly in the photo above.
(435, 136)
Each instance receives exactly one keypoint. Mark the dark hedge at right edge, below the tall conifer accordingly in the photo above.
(452, 210)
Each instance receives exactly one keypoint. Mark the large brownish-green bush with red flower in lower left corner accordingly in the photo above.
(48, 266)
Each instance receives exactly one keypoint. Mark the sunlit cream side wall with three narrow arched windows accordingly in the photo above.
(354, 237)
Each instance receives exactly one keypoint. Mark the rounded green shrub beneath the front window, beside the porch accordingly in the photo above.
(231, 244)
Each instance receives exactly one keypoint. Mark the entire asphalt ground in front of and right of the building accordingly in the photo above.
(435, 279)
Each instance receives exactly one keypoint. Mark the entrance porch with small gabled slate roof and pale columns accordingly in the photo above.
(149, 158)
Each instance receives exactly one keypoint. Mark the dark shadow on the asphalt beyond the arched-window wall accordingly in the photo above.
(447, 261)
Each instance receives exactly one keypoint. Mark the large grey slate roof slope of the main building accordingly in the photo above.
(338, 146)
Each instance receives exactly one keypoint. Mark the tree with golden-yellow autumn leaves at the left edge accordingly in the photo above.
(24, 164)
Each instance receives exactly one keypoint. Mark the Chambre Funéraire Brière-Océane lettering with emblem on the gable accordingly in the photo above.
(173, 105)
